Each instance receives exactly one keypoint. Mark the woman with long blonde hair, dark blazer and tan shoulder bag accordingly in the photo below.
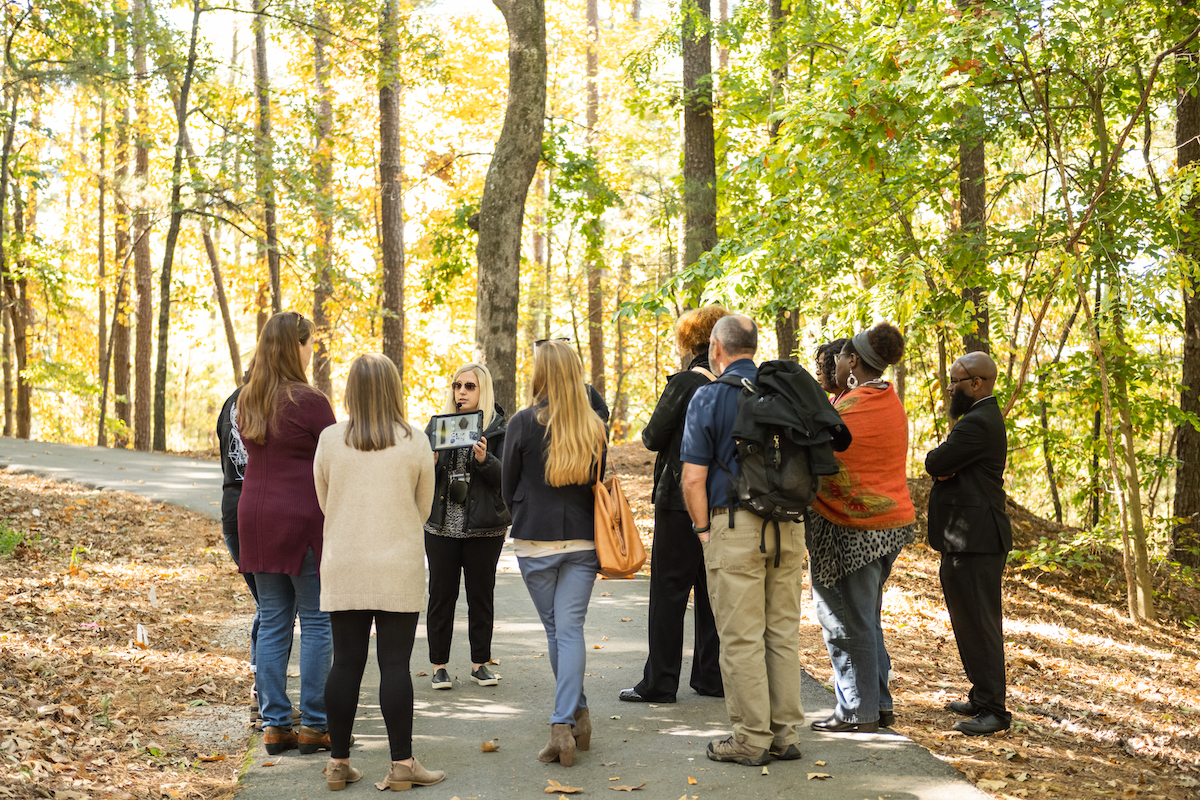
(555, 453)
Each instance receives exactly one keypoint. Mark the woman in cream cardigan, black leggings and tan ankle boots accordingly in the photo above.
(375, 483)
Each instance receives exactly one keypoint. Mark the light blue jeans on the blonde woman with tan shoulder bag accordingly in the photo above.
(561, 587)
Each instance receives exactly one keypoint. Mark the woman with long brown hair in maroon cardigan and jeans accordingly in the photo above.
(280, 526)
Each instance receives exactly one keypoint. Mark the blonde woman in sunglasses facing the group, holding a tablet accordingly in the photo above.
(466, 531)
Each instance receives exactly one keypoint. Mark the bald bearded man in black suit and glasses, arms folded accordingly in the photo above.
(970, 528)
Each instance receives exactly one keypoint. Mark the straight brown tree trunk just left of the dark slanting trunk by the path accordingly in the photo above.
(143, 272)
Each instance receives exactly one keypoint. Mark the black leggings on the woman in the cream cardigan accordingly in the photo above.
(395, 633)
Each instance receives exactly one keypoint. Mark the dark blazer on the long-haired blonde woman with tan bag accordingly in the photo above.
(541, 512)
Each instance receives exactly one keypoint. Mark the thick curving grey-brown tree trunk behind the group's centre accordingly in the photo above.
(502, 208)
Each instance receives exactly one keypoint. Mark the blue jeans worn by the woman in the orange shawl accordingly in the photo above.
(850, 621)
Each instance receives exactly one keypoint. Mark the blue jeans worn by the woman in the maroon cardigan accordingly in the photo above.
(280, 599)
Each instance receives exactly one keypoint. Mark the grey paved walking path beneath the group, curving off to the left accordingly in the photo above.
(662, 747)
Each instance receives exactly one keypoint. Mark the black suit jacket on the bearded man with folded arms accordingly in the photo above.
(967, 513)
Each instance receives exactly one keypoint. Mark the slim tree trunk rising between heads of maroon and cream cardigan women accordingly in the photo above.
(323, 207)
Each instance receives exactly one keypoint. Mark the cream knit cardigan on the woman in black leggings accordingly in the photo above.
(376, 504)
